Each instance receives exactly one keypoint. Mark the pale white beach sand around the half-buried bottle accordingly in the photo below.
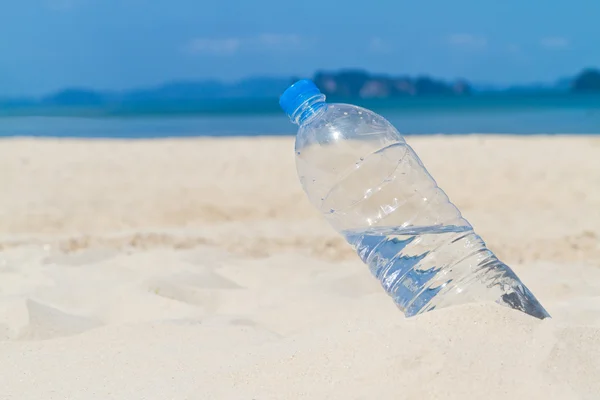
(196, 269)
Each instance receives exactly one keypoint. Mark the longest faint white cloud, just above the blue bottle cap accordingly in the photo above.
(233, 45)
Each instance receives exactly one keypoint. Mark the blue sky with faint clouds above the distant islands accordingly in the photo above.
(46, 45)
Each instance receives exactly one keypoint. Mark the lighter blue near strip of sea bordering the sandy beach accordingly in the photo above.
(526, 119)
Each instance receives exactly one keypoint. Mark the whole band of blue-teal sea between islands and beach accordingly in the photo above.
(501, 114)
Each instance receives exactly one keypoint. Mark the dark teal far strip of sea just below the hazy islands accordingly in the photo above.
(269, 106)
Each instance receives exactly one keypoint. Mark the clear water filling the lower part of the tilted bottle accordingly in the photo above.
(423, 268)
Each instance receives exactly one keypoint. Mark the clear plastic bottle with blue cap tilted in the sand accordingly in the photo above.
(371, 186)
